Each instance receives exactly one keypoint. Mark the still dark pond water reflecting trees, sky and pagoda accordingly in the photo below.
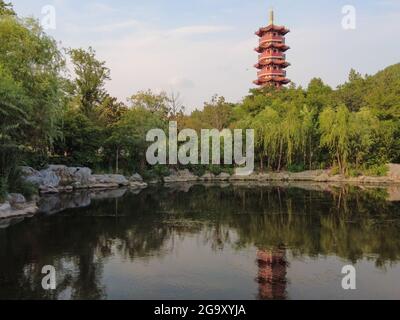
(207, 242)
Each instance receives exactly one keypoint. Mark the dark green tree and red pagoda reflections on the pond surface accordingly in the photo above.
(344, 221)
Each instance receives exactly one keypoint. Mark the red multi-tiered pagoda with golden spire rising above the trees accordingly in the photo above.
(272, 59)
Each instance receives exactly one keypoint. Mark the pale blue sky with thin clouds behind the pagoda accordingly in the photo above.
(204, 47)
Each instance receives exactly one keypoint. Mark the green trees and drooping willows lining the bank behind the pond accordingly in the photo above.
(50, 114)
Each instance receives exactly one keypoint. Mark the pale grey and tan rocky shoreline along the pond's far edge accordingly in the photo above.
(59, 181)
